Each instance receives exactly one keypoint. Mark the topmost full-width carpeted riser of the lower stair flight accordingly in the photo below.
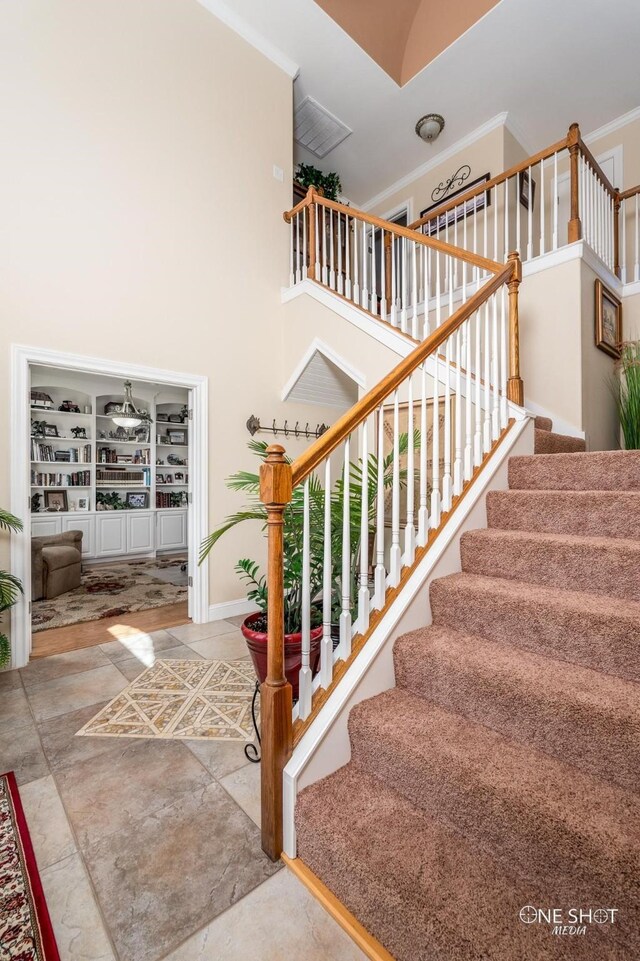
(615, 470)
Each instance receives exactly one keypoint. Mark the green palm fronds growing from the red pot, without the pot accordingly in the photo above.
(249, 570)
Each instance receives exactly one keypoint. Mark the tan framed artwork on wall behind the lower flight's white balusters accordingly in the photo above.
(403, 422)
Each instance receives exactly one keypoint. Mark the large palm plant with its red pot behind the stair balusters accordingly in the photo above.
(254, 628)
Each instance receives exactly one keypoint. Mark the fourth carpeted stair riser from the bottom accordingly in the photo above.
(598, 641)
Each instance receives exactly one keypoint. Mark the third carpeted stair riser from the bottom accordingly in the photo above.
(603, 744)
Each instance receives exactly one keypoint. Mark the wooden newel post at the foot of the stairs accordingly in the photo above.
(276, 701)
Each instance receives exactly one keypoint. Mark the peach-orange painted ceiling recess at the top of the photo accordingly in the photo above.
(404, 36)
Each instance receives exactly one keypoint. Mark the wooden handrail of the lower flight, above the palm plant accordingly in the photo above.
(346, 424)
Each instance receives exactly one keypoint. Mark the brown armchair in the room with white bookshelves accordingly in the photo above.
(56, 564)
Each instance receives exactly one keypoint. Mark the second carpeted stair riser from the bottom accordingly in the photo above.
(529, 842)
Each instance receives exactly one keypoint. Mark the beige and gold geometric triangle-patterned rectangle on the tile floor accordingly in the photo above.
(200, 700)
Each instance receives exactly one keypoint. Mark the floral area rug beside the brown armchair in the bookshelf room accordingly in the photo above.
(111, 590)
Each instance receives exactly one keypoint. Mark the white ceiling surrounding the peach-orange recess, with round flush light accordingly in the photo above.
(545, 62)
